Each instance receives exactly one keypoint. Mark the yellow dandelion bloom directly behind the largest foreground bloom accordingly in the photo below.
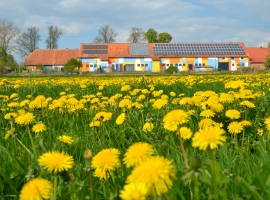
(137, 153)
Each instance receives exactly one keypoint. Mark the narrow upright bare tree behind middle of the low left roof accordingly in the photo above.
(54, 34)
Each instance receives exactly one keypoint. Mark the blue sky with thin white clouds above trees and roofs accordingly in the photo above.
(245, 21)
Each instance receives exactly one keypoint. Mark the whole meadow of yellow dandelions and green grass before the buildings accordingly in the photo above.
(134, 138)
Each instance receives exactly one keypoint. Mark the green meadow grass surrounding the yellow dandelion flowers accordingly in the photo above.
(241, 164)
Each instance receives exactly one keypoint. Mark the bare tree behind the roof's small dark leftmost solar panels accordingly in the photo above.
(106, 35)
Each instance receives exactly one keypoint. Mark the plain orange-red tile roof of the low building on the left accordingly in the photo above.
(51, 56)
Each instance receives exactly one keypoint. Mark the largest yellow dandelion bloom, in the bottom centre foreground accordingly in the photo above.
(156, 173)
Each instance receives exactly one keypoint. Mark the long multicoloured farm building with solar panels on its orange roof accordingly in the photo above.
(155, 57)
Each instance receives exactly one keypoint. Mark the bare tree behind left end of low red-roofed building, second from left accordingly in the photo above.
(28, 41)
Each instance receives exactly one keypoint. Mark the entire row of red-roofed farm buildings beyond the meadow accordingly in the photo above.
(152, 57)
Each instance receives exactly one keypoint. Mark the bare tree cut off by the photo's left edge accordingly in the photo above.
(8, 33)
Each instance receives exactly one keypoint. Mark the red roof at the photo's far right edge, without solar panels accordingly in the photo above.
(257, 54)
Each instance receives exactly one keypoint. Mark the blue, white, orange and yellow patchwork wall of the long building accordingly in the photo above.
(147, 64)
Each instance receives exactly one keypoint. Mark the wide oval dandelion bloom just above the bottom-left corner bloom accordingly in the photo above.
(55, 161)
